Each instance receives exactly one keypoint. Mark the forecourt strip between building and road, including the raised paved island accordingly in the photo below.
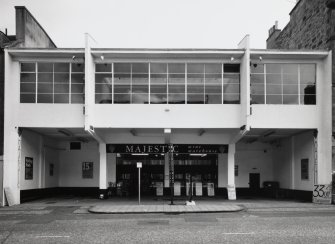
(152, 205)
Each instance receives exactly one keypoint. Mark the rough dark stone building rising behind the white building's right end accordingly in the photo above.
(311, 26)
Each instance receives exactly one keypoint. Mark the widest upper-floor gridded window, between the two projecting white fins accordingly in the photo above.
(167, 83)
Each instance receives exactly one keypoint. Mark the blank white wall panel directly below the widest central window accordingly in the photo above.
(166, 116)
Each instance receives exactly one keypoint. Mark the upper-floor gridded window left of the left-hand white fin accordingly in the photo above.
(52, 83)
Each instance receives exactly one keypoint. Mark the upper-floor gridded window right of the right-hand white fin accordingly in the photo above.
(283, 83)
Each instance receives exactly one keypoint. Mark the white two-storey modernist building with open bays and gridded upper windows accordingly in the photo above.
(234, 116)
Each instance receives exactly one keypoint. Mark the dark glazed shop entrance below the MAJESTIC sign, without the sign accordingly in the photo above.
(201, 167)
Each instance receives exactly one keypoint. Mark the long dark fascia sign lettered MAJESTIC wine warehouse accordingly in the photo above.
(165, 148)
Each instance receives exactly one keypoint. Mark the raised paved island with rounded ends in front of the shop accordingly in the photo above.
(131, 209)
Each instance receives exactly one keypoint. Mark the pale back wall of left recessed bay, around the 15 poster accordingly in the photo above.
(70, 173)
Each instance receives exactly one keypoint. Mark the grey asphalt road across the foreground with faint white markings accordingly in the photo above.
(76, 225)
